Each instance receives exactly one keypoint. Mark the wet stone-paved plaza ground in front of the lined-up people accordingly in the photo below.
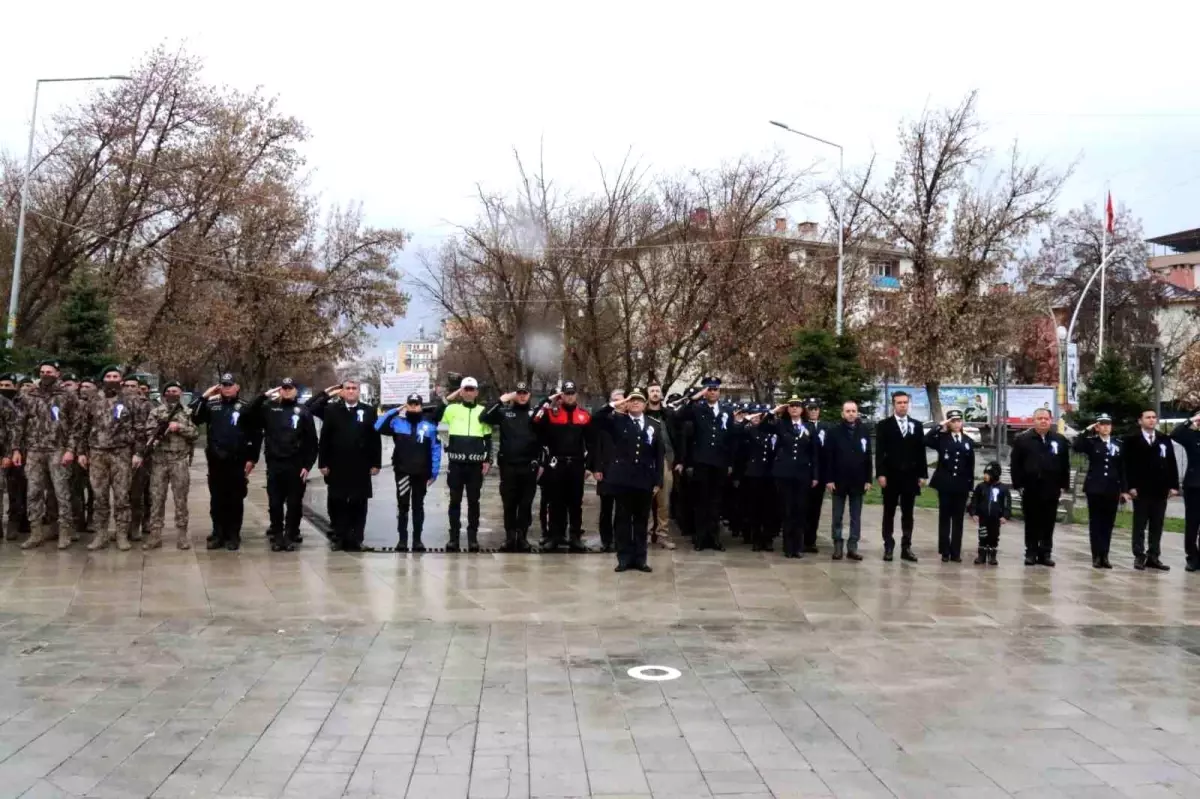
(328, 675)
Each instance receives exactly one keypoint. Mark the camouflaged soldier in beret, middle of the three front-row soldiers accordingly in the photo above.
(113, 426)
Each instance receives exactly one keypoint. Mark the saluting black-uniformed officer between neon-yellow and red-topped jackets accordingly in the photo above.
(520, 461)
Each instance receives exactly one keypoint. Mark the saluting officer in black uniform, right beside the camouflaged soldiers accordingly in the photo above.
(231, 454)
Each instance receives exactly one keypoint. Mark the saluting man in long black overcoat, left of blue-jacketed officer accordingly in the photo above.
(349, 456)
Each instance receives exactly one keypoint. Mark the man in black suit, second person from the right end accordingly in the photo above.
(1153, 477)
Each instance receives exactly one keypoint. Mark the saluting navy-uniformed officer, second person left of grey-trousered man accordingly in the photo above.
(795, 470)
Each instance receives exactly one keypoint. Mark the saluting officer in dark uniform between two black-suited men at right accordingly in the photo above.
(1105, 486)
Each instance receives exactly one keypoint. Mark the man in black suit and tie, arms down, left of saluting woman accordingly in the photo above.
(903, 470)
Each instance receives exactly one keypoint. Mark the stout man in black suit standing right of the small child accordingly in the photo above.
(1041, 468)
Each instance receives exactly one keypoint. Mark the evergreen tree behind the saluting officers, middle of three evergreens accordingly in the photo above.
(829, 368)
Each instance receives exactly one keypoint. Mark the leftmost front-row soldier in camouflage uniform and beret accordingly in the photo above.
(46, 446)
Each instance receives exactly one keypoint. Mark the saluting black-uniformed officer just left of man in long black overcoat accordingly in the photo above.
(290, 442)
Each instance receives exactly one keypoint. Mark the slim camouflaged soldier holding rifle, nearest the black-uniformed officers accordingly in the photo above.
(171, 435)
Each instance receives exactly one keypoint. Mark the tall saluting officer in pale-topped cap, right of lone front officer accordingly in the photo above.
(710, 460)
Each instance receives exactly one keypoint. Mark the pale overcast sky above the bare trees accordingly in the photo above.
(412, 105)
